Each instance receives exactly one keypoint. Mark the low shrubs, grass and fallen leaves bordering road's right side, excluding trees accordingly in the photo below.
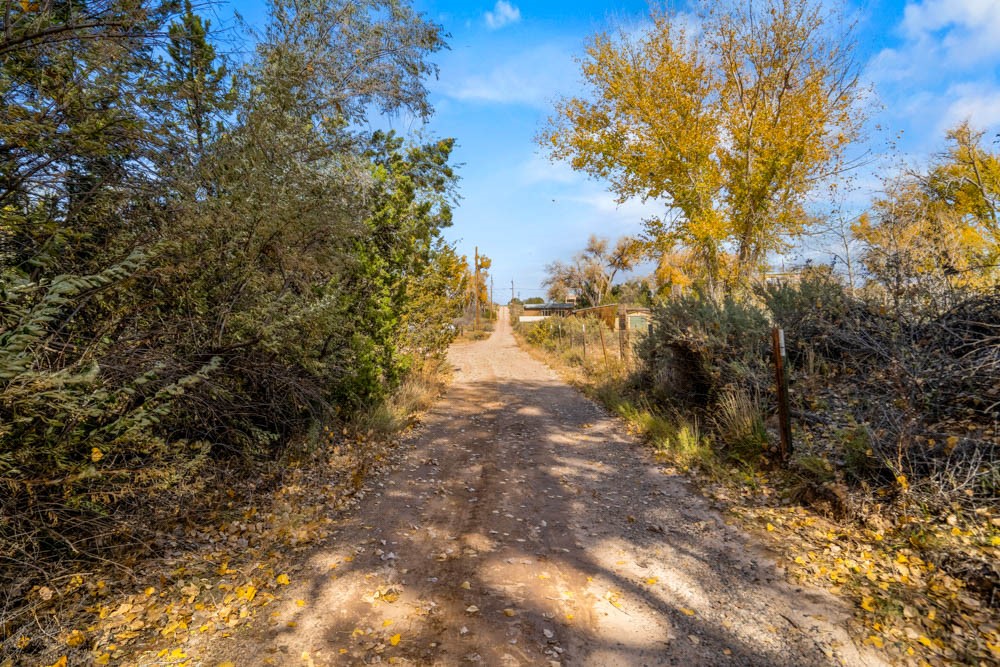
(890, 495)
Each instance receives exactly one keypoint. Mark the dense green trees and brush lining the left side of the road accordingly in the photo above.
(210, 273)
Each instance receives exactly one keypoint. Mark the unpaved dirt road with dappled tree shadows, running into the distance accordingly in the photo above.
(524, 527)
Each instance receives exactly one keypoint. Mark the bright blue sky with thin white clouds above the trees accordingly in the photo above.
(931, 64)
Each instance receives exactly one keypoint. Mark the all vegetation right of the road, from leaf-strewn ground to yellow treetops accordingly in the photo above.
(890, 495)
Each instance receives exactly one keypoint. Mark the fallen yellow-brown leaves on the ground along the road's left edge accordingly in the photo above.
(224, 576)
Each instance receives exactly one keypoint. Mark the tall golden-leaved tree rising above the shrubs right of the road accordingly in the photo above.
(728, 120)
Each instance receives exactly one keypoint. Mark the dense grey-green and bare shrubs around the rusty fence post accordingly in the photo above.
(916, 400)
